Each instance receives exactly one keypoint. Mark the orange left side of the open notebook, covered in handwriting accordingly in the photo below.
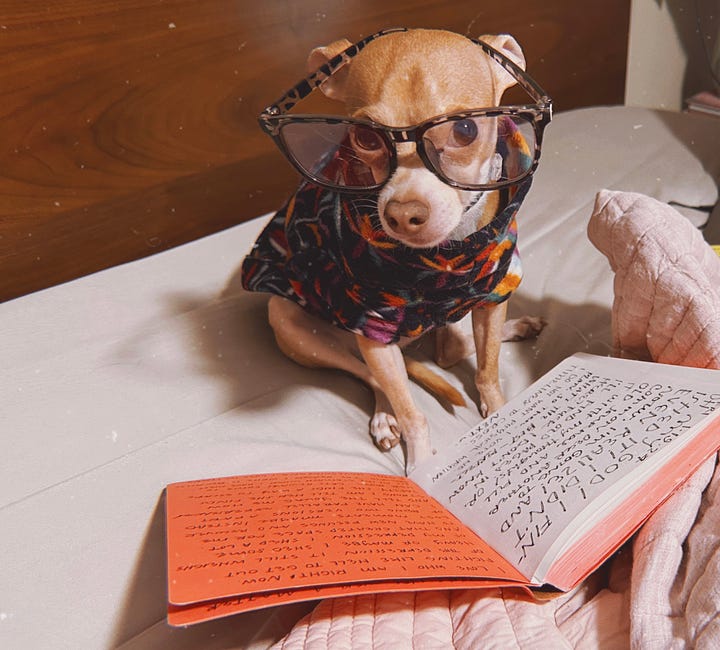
(241, 543)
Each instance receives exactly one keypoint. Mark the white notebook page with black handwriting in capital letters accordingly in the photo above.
(522, 476)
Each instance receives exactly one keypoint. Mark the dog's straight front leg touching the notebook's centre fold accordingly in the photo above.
(388, 368)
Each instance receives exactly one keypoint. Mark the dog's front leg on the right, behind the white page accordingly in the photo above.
(487, 330)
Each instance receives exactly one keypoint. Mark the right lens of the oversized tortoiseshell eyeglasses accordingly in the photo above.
(481, 151)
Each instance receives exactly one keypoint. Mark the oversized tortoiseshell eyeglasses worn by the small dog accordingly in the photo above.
(478, 150)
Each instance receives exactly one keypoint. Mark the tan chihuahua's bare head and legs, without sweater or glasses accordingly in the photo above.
(398, 80)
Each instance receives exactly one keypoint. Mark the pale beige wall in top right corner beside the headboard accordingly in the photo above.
(666, 60)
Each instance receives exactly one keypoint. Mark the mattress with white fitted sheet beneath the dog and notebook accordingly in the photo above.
(165, 370)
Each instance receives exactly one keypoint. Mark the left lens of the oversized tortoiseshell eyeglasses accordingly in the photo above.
(339, 154)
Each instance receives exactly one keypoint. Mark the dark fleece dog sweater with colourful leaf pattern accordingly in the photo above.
(328, 252)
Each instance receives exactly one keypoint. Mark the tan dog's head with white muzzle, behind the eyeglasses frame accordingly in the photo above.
(403, 80)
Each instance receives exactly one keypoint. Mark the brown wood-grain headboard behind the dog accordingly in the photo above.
(129, 126)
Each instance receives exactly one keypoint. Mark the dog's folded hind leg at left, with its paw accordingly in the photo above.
(315, 343)
